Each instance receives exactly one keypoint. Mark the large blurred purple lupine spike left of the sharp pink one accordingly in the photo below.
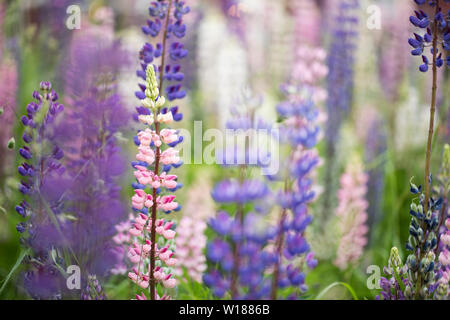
(93, 158)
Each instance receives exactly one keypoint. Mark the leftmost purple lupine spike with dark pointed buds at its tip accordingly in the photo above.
(42, 184)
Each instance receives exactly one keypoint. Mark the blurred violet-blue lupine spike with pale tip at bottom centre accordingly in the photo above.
(238, 254)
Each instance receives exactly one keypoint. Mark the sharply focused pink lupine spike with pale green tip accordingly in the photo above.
(146, 251)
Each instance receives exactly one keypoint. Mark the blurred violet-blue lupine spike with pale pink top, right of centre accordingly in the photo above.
(299, 133)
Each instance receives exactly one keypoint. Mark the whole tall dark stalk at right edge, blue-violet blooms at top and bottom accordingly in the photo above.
(424, 221)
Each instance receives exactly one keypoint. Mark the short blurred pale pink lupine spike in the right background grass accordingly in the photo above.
(352, 215)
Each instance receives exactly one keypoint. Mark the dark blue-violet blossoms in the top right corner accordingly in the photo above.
(434, 27)
